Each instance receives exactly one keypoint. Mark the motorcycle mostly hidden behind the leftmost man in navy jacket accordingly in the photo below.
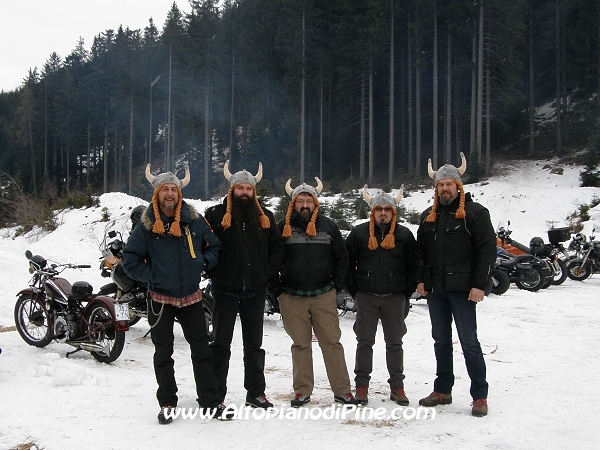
(134, 294)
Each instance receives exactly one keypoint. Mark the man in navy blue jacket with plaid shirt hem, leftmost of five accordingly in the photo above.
(169, 252)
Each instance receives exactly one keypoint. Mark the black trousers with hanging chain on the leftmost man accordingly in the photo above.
(191, 319)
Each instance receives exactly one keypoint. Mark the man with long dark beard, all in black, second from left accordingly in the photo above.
(252, 252)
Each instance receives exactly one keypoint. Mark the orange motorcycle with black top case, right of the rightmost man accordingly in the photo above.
(545, 255)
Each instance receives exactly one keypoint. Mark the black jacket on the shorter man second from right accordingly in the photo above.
(381, 271)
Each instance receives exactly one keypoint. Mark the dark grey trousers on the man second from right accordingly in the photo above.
(370, 310)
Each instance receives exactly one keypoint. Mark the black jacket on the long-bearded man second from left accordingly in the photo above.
(250, 255)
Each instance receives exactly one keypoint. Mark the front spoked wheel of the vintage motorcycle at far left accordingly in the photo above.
(32, 321)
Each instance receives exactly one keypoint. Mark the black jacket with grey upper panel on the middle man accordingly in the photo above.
(312, 263)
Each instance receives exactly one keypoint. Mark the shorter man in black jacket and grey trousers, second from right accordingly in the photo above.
(380, 277)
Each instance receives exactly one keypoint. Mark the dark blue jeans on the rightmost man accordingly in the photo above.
(443, 306)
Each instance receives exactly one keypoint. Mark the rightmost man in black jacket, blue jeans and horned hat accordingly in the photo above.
(456, 251)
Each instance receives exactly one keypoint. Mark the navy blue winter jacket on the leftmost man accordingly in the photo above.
(165, 262)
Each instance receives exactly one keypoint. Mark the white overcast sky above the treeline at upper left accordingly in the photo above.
(30, 30)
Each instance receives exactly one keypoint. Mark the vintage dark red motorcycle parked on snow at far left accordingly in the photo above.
(53, 309)
